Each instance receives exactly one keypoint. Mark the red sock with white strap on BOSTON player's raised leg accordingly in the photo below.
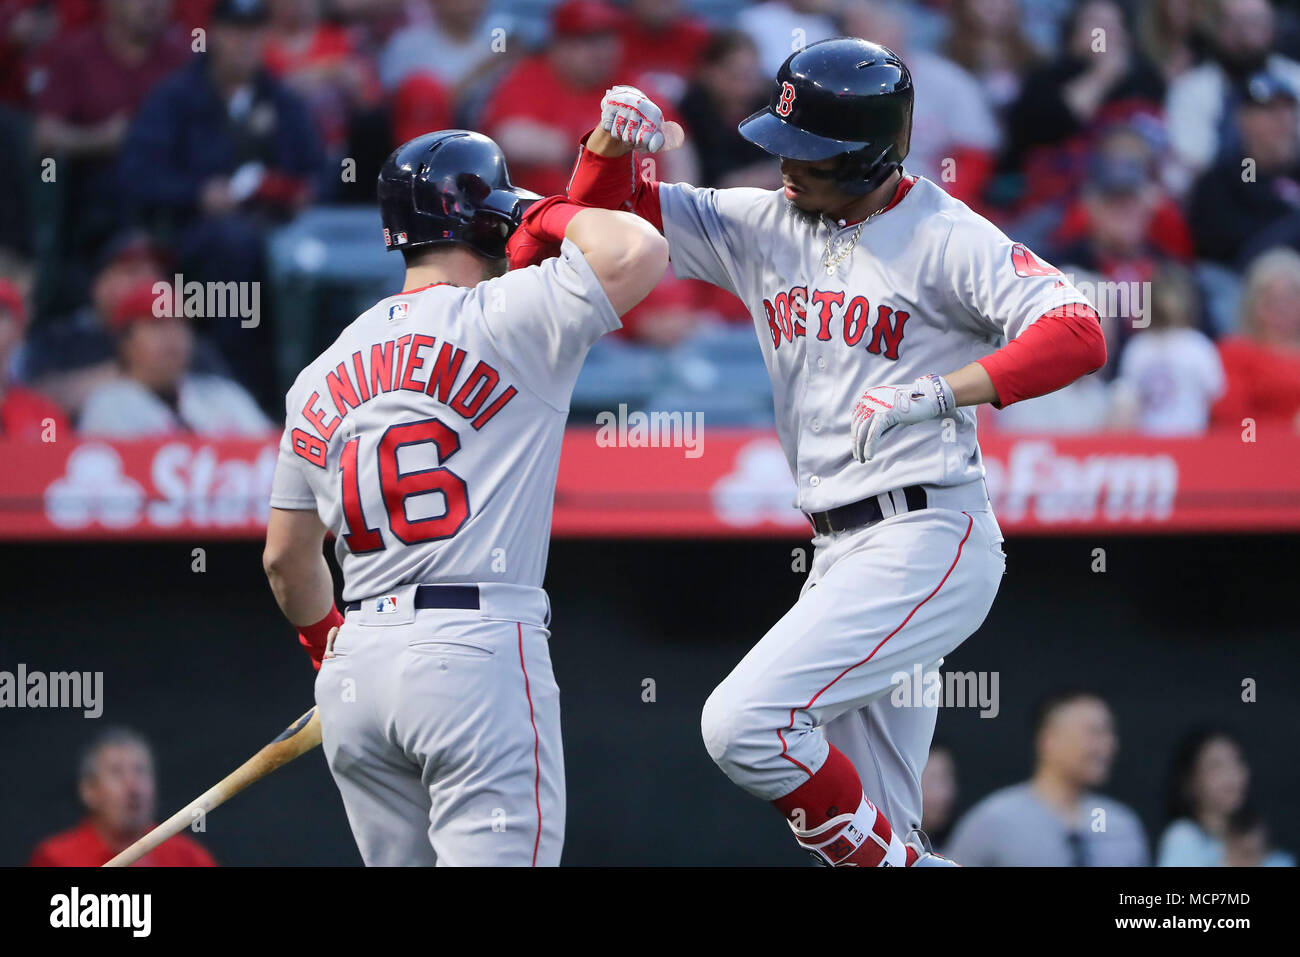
(840, 826)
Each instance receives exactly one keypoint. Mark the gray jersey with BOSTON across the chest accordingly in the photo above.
(929, 287)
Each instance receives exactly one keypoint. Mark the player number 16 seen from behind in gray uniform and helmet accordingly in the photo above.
(427, 439)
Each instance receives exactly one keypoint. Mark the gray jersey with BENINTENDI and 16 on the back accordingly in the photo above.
(428, 435)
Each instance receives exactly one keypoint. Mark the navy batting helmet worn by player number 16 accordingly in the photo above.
(450, 188)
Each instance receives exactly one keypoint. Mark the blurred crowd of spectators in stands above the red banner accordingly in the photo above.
(1151, 150)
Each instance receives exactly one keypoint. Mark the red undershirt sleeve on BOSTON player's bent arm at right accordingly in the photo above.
(1060, 348)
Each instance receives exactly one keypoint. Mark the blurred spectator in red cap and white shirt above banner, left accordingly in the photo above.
(157, 393)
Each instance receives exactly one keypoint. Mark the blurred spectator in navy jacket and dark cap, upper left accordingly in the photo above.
(219, 154)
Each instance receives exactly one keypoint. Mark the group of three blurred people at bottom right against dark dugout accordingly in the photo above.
(1060, 817)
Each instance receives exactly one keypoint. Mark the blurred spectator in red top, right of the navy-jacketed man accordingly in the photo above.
(319, 60)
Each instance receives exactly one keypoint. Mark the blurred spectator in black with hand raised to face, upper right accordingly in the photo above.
(1099, 77)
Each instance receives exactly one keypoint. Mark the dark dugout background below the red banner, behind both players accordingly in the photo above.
(205, 666)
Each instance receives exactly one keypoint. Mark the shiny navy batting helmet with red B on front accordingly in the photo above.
(847, 98)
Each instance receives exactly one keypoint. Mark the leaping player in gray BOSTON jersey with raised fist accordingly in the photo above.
(886, 311)
